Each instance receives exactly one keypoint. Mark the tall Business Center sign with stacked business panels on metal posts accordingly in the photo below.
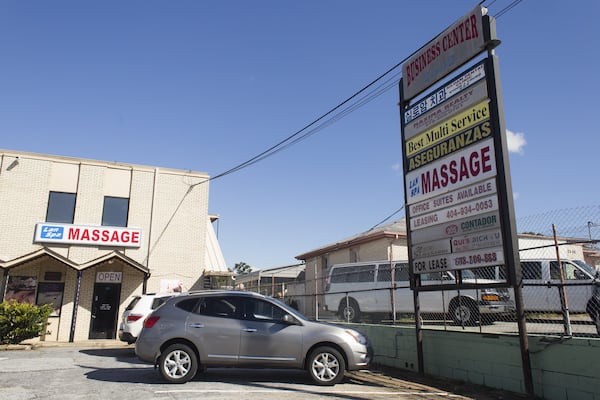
(458, 192)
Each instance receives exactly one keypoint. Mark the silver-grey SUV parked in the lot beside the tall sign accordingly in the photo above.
(197, 330)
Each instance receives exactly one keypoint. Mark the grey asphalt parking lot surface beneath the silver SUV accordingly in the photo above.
(110, 370)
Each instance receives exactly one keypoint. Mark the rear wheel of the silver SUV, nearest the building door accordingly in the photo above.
(178, 363)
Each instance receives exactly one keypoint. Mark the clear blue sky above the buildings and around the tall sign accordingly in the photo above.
(207, 85)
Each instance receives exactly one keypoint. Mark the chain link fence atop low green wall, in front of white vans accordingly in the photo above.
(561, 296)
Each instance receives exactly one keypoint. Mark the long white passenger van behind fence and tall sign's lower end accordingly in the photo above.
(364, 288)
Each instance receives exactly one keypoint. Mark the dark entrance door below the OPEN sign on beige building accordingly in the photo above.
(105, 307)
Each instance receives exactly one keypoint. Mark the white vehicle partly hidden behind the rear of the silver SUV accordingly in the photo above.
(133, 317)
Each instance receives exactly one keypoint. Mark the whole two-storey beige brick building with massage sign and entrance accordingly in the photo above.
(86, 235)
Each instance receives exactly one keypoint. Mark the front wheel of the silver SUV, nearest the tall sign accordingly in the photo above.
(326, 366)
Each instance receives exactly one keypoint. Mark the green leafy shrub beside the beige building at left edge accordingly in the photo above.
(22, 321)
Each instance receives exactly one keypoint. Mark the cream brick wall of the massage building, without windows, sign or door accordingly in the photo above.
(169, 206)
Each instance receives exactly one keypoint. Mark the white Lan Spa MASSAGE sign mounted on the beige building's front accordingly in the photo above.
(90, 235)
